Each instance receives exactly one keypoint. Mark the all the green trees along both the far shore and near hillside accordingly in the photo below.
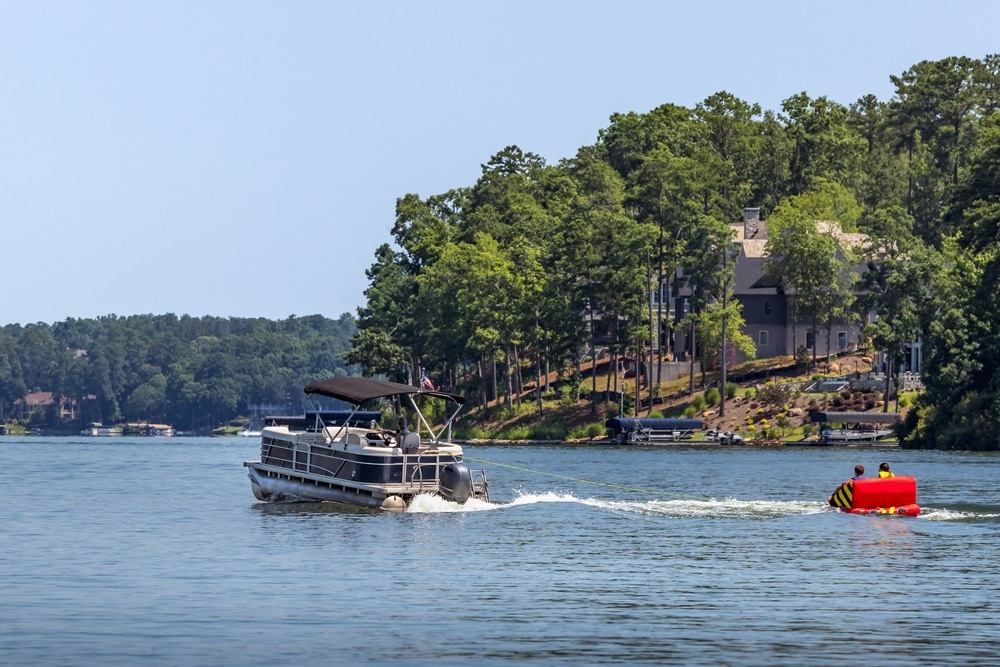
(526, 267)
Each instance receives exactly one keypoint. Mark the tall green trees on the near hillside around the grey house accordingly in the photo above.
(491, 285)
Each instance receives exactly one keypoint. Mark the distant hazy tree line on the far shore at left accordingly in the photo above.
(191, 372)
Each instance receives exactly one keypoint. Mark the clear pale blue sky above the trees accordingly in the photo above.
(243, 158)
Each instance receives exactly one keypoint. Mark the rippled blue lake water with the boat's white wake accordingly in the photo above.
(154, 552)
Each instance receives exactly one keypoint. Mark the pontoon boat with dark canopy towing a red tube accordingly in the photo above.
(345, 457)
